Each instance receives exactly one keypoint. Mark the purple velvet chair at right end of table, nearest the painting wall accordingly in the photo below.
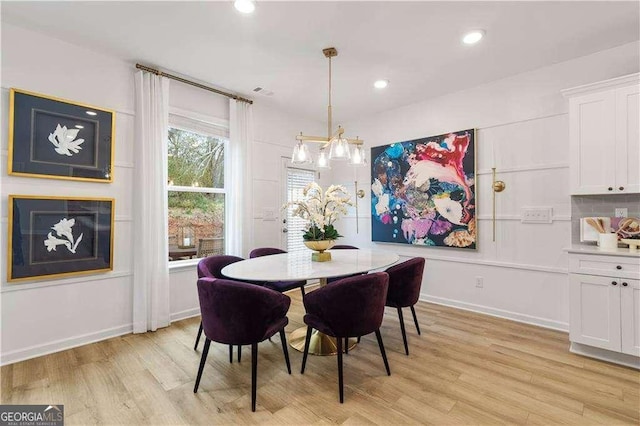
(405, 280)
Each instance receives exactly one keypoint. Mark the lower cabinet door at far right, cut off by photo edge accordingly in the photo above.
(630, 316)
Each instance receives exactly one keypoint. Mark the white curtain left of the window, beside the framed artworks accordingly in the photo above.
(151, 250)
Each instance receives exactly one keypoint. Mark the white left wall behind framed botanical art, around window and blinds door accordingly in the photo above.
(45, 316)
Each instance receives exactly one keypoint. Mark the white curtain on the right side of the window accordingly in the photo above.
(238, 204)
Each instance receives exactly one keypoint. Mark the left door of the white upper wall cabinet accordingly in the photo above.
(592, 138)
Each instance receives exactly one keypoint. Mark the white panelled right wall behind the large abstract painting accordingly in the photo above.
(525, 118)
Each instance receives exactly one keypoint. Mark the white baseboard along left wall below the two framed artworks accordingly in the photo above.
(63, 344)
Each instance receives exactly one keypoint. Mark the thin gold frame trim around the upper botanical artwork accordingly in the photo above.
(10, 171)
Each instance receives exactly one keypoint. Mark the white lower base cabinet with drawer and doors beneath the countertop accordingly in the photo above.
(604, 303)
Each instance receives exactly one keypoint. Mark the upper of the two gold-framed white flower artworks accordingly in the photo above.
(59, 139)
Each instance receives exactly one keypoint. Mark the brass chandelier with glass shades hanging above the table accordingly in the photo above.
(338, 147)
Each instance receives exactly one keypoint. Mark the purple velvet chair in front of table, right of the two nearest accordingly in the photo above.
(351, 307)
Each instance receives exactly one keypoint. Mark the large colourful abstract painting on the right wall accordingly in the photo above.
(423, 191)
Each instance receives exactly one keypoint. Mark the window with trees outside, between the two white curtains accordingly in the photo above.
(196, 192)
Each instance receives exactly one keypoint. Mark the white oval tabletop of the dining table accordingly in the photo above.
(298, 265)
